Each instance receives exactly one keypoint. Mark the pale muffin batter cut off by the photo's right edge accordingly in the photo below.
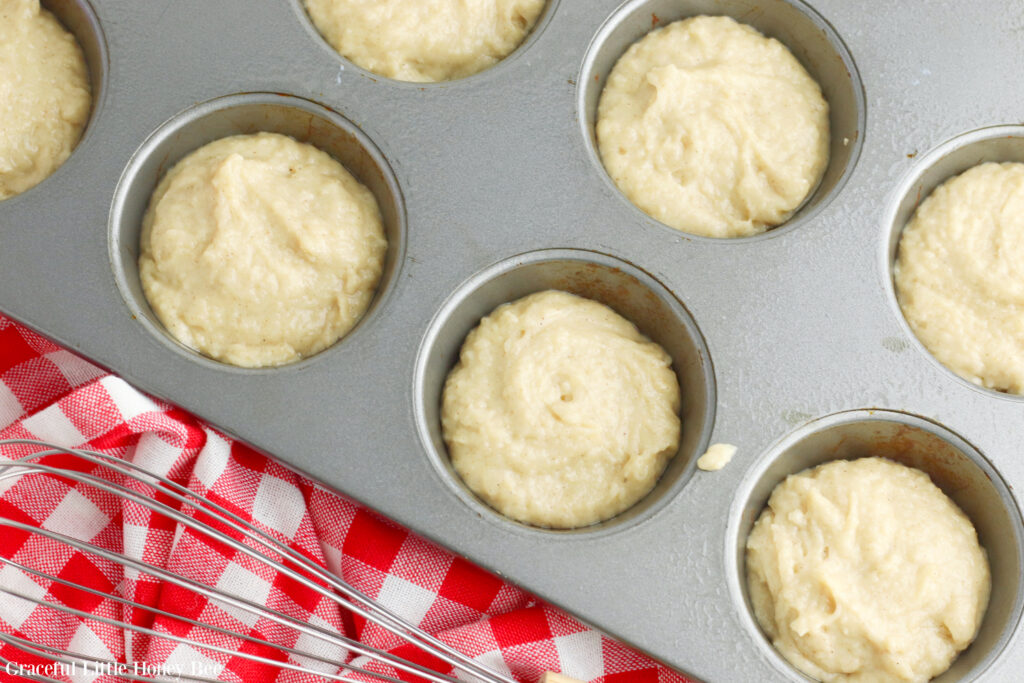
(960, 276)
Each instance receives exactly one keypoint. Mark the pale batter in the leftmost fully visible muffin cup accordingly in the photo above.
(259, 250)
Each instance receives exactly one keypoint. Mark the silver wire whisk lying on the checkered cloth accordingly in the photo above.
(129, 482)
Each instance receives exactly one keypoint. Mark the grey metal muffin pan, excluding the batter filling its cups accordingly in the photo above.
(789, 345)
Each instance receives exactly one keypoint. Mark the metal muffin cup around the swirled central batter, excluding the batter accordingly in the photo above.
(630, 292)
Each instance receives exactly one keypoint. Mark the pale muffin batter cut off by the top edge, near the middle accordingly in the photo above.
(428, 40)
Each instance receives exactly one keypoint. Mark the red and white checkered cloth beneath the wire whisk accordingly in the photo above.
(51, 395)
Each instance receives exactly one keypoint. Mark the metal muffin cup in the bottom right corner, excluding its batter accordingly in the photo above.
(954, 465)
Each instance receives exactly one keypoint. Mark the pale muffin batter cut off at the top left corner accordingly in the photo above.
(45, 96)
